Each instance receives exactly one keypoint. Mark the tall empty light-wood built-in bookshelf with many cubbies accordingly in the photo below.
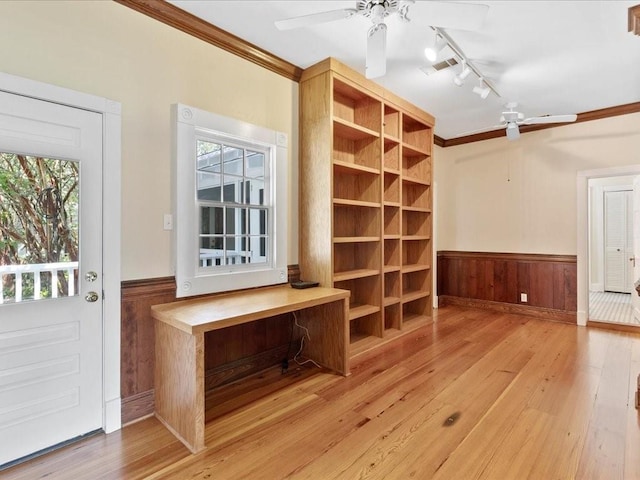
(365, 201)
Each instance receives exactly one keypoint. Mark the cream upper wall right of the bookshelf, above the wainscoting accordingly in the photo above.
(520, 196)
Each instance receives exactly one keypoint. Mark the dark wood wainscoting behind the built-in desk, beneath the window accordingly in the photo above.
(231, 353)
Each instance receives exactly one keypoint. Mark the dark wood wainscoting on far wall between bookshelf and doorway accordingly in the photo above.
(496, 281)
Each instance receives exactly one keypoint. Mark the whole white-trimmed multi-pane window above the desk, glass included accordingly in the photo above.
(230, 187)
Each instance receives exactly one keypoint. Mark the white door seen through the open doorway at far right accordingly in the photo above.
(618, 241)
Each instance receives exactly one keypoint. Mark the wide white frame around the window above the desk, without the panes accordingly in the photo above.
(192, 124)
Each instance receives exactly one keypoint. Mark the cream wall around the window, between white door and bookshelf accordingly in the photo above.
(106, 49)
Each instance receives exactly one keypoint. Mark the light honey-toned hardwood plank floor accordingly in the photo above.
(475, 395)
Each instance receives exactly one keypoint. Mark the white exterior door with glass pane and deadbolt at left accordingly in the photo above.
(50, 323)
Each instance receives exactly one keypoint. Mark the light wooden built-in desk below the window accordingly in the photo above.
(180, 328)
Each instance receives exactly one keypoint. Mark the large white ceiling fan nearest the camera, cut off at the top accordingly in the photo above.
(463, 16)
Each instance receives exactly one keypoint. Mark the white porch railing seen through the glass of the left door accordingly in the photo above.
(36, 269)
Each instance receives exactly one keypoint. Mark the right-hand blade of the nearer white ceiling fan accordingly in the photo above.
(460, 16)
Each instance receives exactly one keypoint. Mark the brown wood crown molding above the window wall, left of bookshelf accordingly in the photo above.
(173, 16)
